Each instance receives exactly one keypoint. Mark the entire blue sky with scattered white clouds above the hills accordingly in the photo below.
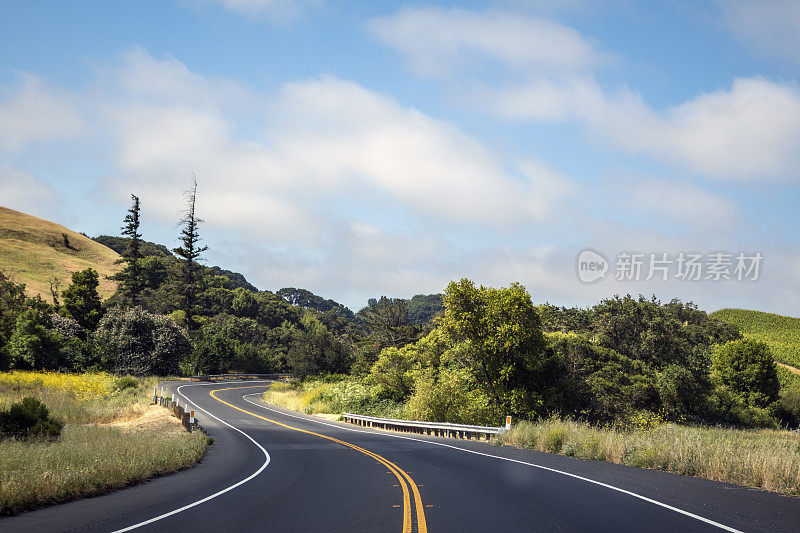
(359, 149)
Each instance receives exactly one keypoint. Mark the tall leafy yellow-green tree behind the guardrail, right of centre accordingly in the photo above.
(499, 341)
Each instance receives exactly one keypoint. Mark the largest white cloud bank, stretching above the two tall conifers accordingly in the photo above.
(316, 148)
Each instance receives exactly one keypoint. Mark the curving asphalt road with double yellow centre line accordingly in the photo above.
(275, 470)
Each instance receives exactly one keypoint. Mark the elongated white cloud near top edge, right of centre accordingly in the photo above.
(437, 42)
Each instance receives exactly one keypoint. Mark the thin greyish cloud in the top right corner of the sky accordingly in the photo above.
(772, 26)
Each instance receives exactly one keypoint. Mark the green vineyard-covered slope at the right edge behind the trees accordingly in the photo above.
(781, 333)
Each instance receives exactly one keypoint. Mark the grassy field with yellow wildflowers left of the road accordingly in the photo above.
(112, 438)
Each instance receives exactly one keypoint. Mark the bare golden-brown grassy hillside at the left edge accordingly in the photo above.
(34, 250)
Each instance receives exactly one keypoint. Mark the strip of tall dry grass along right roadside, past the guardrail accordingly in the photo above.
(766, 459)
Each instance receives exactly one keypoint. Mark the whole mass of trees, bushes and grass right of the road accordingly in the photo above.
(630, 380)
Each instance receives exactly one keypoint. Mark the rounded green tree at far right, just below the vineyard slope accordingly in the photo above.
(747, 368)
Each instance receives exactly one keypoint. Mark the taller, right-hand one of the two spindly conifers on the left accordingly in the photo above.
(191, 252)
